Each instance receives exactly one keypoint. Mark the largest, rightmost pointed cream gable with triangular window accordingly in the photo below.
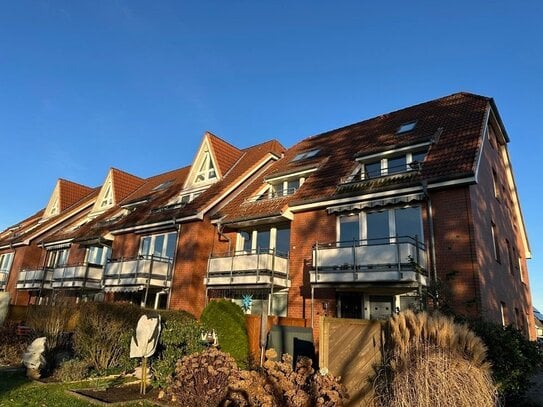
(205, 169)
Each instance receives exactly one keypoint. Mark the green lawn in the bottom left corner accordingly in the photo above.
(17, 390)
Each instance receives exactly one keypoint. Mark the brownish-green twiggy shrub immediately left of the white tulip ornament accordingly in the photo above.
(102, 335)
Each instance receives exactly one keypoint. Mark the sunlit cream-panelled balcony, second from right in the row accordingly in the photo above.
(263, 268)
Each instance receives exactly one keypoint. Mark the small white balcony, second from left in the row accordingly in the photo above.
(78, 276)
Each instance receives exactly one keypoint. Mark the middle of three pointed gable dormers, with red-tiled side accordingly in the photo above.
(117, 186)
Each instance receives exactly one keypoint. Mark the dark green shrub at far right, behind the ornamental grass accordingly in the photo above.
(513, 357)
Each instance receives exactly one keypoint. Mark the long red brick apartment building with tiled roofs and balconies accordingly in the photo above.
(414, 208)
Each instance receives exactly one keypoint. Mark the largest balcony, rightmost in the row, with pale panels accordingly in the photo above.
(387, 260)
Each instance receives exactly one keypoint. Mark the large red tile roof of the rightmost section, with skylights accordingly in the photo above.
(454, 122)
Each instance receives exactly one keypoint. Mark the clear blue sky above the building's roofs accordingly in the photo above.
(86, 85)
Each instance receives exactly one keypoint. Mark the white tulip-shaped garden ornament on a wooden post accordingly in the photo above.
(145, 343)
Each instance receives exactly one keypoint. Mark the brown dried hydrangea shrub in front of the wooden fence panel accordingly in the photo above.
(277, 384)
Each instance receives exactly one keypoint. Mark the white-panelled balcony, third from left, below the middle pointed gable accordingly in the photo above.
(137, 273)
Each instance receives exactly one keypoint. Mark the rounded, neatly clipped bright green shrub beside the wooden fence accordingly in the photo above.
(228, 321)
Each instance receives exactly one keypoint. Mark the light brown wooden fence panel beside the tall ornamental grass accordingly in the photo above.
(350, 348)
